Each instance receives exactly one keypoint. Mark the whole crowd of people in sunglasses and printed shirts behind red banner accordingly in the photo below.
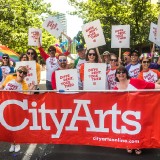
(131, 72)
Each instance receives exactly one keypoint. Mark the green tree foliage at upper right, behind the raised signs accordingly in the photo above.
(137, 13)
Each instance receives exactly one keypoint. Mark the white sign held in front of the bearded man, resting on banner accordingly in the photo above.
(67, 79)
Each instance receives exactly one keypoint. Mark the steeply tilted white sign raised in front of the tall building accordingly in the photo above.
(53, 26)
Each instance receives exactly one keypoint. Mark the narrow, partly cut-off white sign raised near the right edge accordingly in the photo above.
(153, 33)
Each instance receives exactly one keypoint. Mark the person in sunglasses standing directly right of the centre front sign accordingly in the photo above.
(111, 83)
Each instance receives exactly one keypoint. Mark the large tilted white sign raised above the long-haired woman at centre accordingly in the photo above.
(93, 34)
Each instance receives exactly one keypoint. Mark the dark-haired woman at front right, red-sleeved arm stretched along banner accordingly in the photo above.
(124, 82)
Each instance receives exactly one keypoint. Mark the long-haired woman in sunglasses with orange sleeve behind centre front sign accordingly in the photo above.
(91, 57)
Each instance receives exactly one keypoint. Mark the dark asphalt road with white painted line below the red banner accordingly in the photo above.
(73, 152)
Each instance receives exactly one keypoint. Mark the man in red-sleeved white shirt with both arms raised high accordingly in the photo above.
(51, 60)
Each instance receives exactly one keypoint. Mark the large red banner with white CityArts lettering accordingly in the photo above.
(115, 119)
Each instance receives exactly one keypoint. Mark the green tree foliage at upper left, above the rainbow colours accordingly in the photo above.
(17, 16)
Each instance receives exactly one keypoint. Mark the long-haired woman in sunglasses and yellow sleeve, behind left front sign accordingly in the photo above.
(32, 56)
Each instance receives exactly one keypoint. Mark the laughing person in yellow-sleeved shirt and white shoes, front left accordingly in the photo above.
(16, 82)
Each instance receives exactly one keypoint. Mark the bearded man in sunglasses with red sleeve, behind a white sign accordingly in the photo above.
(62, 61)
